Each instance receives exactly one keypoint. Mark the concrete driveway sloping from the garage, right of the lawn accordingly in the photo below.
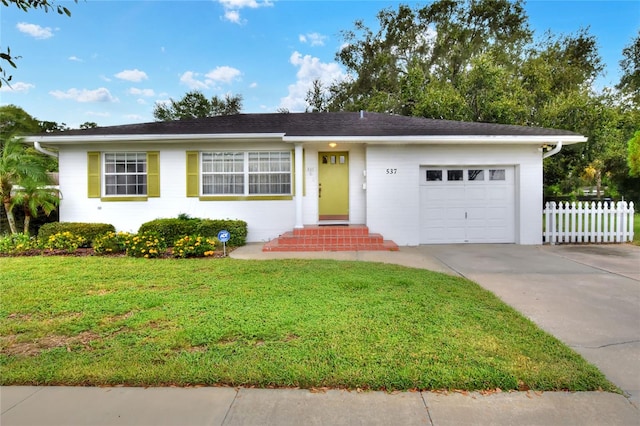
(587, 296)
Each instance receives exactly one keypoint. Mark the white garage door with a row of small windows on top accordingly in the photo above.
(467, 205)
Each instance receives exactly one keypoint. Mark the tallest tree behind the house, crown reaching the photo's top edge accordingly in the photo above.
(428, 47)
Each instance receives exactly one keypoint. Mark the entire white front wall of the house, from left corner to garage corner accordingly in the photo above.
(389, 205)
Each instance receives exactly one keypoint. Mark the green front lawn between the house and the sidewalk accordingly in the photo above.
(306, 323)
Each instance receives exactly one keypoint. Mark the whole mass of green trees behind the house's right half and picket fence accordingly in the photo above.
(479, 61)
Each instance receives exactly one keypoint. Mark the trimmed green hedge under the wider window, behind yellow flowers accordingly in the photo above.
(171, 230)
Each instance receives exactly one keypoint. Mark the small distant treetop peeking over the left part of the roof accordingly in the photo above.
(195, 105)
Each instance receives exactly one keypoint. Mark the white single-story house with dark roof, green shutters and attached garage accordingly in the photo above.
(414, 180)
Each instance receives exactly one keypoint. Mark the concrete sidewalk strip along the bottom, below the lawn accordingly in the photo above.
(280, 407)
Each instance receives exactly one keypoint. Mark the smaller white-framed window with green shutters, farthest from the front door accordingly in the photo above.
(125, 173)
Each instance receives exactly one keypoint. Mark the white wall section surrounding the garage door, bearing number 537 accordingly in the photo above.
(392, 194)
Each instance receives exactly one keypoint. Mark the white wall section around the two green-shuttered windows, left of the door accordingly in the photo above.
(265, 219)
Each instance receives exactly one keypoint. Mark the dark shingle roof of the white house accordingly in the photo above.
(321, 124)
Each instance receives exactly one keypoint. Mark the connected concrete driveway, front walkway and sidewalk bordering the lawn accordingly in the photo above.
(587, 296)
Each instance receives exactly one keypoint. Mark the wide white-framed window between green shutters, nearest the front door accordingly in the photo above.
(246, 173)
